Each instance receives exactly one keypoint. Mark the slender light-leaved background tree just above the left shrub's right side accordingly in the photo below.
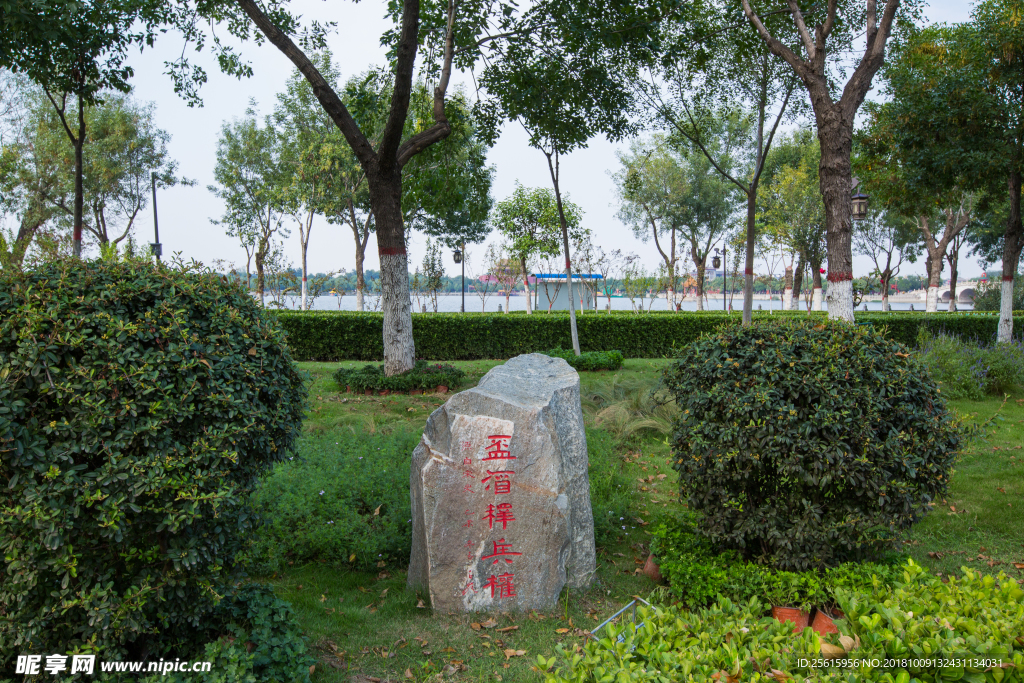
(252, 185)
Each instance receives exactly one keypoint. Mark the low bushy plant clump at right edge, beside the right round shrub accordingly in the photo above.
(972, 369)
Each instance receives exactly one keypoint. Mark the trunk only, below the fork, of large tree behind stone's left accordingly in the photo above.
(386, 198)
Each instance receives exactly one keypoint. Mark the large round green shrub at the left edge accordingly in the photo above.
(139, 406)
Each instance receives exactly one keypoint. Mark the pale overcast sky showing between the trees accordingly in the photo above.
(186, 212)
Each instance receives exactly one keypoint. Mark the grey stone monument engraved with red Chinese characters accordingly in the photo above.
(501, 495)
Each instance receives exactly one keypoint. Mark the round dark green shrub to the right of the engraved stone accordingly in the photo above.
(806, 445)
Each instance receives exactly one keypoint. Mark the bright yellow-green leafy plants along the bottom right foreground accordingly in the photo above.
(915, 620)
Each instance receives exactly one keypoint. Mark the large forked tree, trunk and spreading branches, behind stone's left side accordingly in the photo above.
(441, 30)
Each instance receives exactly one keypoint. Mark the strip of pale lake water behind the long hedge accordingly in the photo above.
(451, 304)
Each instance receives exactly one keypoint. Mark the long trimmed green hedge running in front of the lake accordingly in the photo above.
(349, 336)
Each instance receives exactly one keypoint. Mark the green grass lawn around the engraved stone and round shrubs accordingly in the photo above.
(368, 624)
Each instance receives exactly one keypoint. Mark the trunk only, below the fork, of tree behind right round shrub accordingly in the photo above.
(836, 140)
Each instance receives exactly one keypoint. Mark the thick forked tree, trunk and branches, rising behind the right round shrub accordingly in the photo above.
(833, 29)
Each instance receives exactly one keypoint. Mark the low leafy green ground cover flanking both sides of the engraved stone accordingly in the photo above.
(345, 499)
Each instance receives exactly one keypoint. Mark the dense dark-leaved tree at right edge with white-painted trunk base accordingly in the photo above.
(958, 94)
